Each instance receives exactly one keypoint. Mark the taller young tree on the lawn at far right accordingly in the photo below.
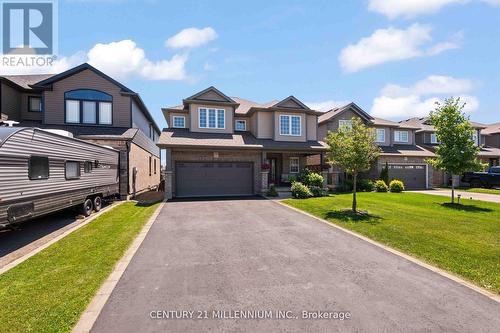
(457, 151)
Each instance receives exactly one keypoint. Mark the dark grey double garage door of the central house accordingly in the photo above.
(213, 179)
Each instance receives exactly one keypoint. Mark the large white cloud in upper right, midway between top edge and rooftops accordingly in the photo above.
(393, 44)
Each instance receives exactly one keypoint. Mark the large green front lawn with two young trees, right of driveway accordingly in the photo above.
(464, 240)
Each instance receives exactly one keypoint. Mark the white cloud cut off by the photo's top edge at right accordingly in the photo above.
(410, 8)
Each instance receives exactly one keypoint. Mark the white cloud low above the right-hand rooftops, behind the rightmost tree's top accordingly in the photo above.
(417, 100)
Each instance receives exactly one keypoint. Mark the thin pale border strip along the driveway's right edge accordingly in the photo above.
(434, 269)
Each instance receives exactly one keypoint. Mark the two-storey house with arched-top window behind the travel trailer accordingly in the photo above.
(94, 107)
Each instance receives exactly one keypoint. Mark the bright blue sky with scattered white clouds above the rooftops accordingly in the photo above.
(393, 58)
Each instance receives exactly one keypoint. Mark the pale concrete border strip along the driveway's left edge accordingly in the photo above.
(89, 316)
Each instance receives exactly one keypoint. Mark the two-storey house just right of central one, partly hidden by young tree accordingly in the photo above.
(405, 159)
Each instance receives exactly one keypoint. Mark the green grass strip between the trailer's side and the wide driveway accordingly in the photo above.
(49, 291)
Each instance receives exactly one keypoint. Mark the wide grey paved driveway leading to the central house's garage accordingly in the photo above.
(239, 255)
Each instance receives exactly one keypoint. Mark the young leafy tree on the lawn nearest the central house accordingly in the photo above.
(353, 149)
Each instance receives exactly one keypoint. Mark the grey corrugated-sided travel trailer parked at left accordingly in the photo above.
(42, 172)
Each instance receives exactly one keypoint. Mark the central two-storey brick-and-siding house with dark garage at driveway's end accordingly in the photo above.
(217, 145)
